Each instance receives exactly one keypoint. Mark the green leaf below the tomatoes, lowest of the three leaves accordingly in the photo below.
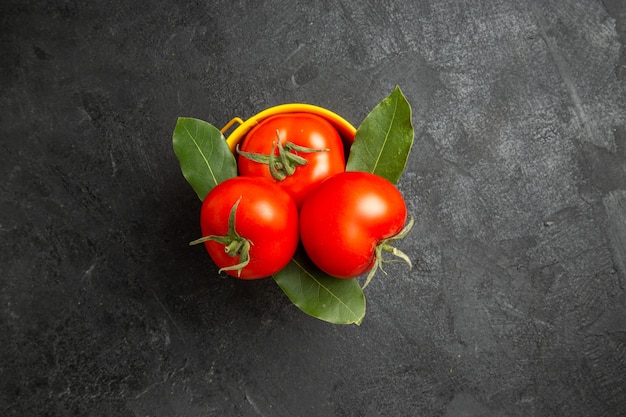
(338, 301)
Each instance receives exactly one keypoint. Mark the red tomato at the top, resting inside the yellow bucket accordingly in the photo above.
(299, 171)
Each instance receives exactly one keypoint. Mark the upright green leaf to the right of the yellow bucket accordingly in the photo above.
(384, 139)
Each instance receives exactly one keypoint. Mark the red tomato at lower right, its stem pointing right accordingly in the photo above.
(346, 217)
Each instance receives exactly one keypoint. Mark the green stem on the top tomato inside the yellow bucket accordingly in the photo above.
(282, 161)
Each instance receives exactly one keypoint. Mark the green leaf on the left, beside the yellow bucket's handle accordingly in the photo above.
(203, 154)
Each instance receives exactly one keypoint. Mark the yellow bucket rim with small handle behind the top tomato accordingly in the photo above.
(345, 129)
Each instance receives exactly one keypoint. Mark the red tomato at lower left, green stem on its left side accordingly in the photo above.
(253, 218)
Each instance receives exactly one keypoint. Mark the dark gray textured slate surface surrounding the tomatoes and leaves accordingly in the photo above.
(517, 180)
